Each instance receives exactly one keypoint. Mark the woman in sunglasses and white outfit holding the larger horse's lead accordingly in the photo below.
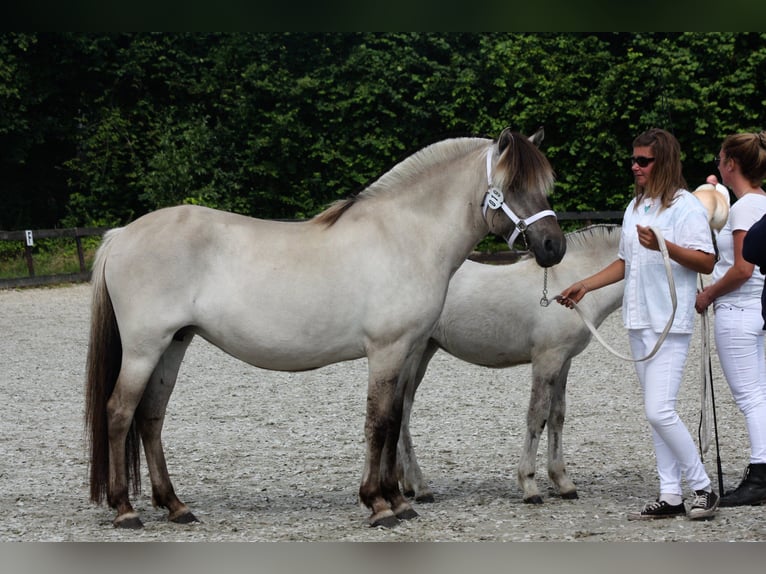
(661, 201)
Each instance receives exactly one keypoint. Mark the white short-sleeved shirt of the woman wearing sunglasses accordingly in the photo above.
(646, 302)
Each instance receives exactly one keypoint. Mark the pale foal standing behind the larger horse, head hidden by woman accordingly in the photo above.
(492, 318)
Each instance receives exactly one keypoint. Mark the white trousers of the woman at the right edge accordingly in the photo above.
(739, 340)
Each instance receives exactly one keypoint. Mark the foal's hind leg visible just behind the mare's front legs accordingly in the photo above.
(407, 468)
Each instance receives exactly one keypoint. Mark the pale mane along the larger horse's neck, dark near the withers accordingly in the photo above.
(403, 172)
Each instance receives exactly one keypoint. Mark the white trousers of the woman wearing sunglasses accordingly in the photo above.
(660, 379)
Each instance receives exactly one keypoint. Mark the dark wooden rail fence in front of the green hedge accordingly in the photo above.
(33, 280)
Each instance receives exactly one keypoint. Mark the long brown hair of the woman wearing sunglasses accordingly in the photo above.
(666, 177)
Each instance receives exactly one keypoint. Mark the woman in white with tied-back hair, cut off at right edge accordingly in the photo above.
(735, 293)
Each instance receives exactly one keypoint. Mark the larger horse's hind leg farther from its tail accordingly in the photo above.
(150, 417)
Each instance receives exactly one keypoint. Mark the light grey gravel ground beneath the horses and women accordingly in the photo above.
(266, 456)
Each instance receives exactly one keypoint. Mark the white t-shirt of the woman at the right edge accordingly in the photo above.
(746, 210)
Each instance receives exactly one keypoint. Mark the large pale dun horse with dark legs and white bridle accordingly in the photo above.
(367, 277)
